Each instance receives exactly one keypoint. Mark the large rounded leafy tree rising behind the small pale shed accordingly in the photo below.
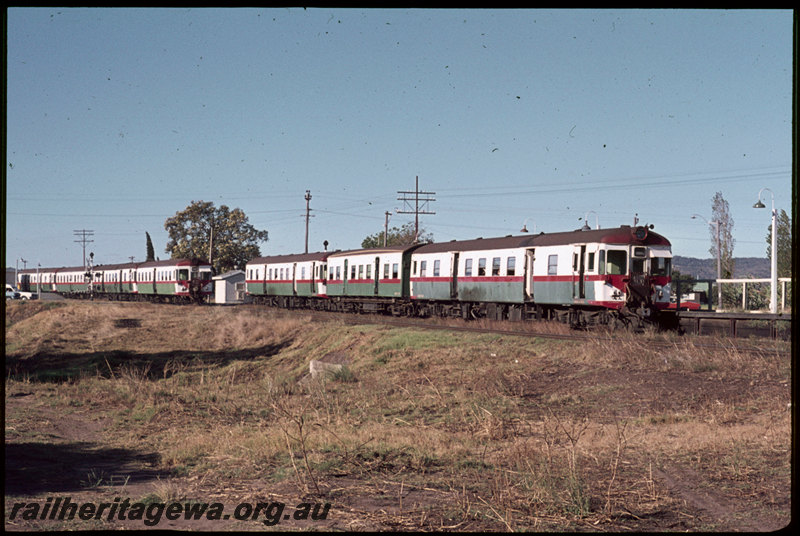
(221, 235)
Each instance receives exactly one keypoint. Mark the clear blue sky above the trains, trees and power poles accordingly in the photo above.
(118, 118)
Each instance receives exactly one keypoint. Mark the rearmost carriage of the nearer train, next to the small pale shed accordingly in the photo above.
(288, 280)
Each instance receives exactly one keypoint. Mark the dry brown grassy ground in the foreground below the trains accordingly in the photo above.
(428, 429)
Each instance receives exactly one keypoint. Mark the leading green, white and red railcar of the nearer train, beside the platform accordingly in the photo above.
(606, 276)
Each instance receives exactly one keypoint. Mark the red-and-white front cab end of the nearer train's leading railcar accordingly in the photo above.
(637, 275)
